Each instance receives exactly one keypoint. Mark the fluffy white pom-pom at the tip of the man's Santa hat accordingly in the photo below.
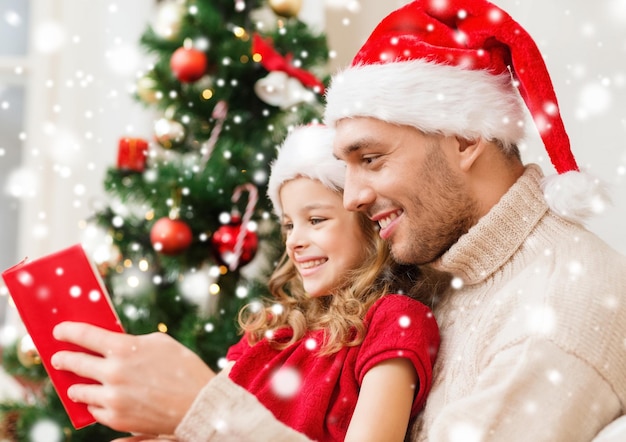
(575, 196)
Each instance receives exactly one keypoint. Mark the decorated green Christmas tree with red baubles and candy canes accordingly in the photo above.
(187, 237)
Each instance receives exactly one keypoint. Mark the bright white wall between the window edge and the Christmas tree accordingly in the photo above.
(78, 106)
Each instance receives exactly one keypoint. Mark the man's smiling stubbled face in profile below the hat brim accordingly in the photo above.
(407, 182)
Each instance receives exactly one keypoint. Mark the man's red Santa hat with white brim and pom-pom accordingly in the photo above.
(458, 67)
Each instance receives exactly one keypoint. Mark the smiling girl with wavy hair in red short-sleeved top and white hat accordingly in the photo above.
(332, 354)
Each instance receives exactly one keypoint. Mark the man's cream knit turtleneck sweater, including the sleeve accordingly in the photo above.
(533, 338)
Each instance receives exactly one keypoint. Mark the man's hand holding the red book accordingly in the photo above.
(147, 382)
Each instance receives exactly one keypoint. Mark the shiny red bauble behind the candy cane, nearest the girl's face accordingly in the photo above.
(225, 244)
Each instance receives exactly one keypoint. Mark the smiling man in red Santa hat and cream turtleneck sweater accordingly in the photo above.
(533, 326)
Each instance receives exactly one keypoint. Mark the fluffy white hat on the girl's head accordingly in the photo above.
(306, 152)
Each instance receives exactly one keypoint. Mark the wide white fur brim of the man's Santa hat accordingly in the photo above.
(431, 97)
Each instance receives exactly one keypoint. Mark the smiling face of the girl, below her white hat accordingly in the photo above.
(323, 240)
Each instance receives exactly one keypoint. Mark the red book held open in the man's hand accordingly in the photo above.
(62, 286)
